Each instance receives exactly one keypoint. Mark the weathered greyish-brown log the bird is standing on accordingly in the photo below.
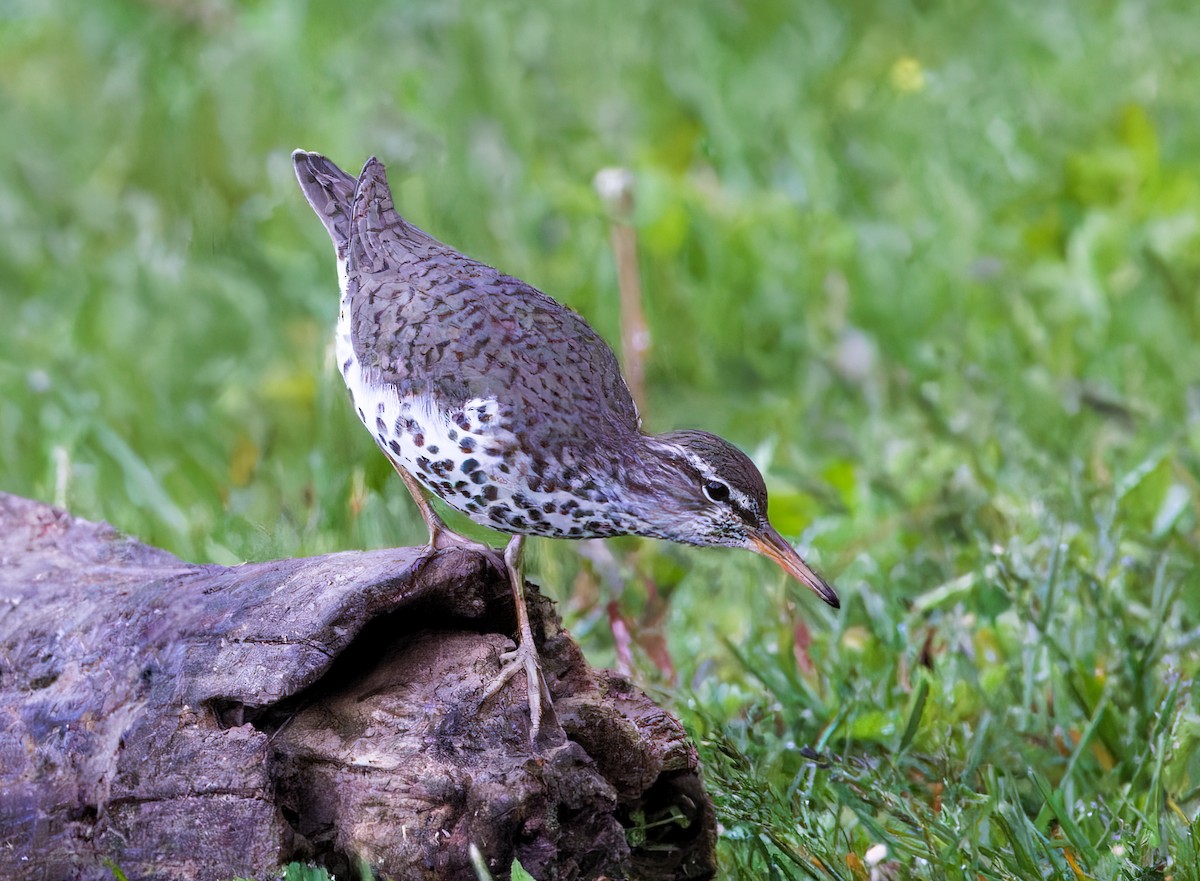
(201, 722)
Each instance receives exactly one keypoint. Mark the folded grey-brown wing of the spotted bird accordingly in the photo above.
(425, 316)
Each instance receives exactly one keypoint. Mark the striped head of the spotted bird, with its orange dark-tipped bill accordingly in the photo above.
(711, 494)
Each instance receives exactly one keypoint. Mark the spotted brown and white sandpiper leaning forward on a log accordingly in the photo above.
(493, 397)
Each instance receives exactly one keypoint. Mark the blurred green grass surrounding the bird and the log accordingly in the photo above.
(937, 267)
